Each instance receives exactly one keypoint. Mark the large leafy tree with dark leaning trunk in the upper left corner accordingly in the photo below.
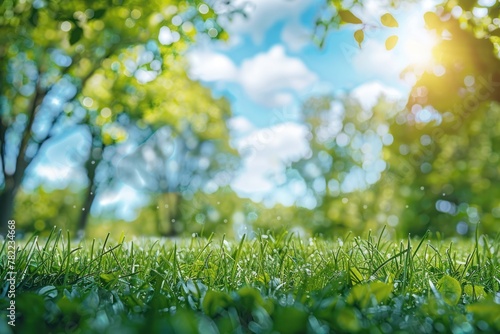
(60, 62)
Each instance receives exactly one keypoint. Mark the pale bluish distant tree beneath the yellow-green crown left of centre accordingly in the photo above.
(178, 165)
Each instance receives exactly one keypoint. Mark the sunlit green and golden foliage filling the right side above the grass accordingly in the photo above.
(439, 167)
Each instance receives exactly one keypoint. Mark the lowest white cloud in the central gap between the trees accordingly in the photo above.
(266, 152)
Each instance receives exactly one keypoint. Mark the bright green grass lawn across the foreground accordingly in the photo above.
(277, 283)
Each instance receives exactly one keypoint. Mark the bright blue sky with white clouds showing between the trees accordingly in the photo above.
(268, 67)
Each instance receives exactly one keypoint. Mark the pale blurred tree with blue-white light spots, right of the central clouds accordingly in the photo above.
(347, 140)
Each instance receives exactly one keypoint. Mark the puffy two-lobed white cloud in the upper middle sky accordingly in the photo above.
(269, 78)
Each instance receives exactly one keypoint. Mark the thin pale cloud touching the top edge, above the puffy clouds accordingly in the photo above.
(262, 15)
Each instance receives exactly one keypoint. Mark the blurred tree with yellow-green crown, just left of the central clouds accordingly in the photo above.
(171, 102)
